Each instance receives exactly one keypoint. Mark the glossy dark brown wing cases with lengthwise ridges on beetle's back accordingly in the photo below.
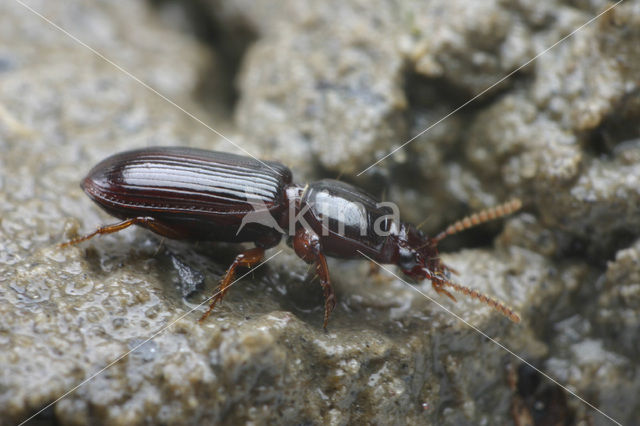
(186, 181)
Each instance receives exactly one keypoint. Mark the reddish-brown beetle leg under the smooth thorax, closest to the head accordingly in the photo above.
(307, 246)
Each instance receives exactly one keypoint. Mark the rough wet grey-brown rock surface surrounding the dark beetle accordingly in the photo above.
(327, 88)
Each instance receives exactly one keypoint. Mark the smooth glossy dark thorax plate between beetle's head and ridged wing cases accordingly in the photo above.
(347, 219)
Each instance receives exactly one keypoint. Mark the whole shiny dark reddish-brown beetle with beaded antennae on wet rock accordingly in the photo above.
(194, 194)
